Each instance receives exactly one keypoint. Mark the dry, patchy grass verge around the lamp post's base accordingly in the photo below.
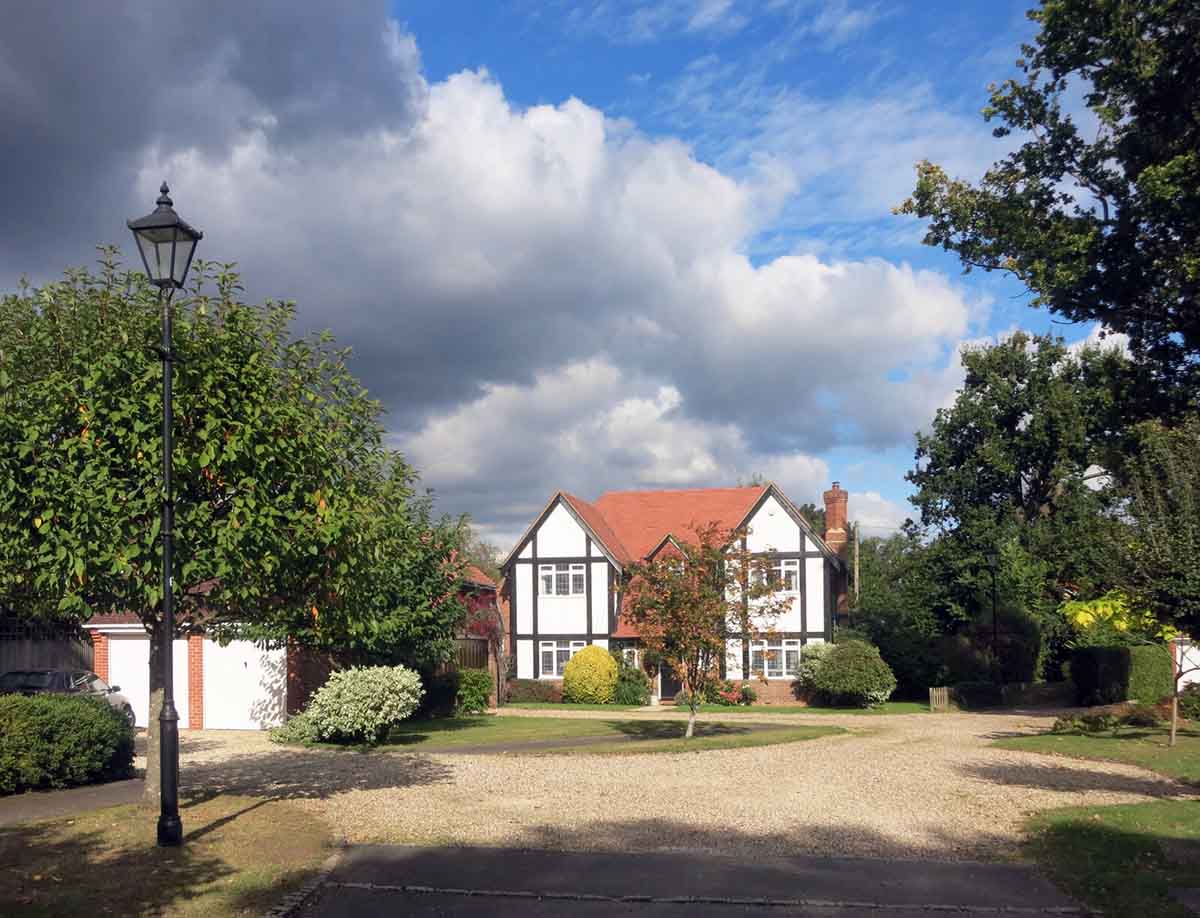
(241, 856)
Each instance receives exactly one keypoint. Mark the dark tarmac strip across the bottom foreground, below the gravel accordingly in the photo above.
(469, 883)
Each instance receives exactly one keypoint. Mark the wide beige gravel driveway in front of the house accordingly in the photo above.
(904, 787)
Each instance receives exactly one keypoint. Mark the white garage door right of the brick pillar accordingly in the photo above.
(245, 688)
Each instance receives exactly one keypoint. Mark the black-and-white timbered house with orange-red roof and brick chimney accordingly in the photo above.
(562, 580)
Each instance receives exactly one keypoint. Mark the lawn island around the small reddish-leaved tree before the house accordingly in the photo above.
(629, 736)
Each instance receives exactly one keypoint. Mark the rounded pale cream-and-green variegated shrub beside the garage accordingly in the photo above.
(362, 705)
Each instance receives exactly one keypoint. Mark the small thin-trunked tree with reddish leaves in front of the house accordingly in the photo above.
(686, 604)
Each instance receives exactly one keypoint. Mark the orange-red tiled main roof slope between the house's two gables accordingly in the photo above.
(643, 519)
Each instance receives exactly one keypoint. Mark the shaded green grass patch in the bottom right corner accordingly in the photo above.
(1121, 861)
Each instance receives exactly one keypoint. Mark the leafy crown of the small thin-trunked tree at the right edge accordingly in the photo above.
(1165, 508)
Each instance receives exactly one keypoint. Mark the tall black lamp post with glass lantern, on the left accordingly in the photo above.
(167, 245)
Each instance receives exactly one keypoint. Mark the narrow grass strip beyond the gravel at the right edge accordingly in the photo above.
(1144, 747)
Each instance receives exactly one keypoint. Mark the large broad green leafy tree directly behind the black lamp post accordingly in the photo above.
(292, 519)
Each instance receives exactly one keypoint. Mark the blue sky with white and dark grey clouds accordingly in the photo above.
(580, 247)
